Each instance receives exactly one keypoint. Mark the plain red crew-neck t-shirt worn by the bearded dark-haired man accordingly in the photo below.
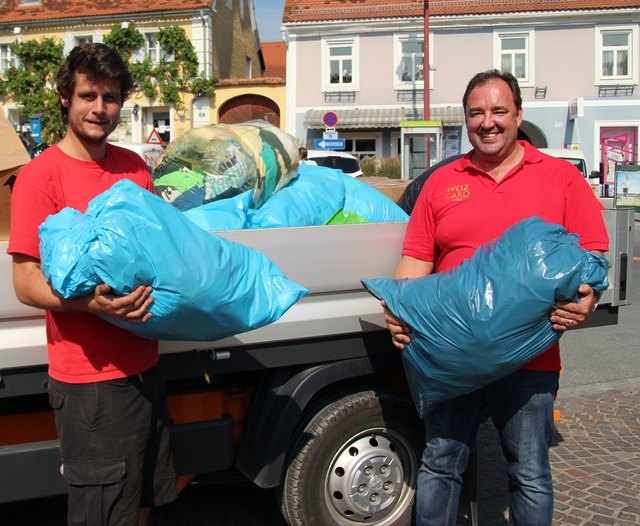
(82, 347)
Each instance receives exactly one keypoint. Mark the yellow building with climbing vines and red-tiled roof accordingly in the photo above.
(223, 33)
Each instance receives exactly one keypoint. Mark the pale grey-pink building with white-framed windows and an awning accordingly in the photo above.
(577, 62)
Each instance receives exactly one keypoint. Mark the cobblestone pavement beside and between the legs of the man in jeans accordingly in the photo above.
(595, 460)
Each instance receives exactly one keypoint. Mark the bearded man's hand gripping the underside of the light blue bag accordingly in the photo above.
(132, 308)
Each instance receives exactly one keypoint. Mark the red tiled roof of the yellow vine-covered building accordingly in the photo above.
(12, 12)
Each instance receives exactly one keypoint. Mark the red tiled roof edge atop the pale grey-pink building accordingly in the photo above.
(324, 10)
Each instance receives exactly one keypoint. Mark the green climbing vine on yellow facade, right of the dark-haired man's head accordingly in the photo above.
(175, 74)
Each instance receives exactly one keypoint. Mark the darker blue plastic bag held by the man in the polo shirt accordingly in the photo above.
(490, 316)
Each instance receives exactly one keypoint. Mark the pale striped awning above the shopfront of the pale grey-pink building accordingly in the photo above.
(383, 118)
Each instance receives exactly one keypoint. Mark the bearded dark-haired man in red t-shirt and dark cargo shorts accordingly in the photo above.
(107, 393)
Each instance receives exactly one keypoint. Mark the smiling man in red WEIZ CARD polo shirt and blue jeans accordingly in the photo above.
(505, 181)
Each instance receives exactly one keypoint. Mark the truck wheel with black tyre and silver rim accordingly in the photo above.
(354, 463)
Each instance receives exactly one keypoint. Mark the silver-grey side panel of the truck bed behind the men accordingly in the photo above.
(327, 260)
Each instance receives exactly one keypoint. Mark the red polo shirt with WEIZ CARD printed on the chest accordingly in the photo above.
(461, 207)
